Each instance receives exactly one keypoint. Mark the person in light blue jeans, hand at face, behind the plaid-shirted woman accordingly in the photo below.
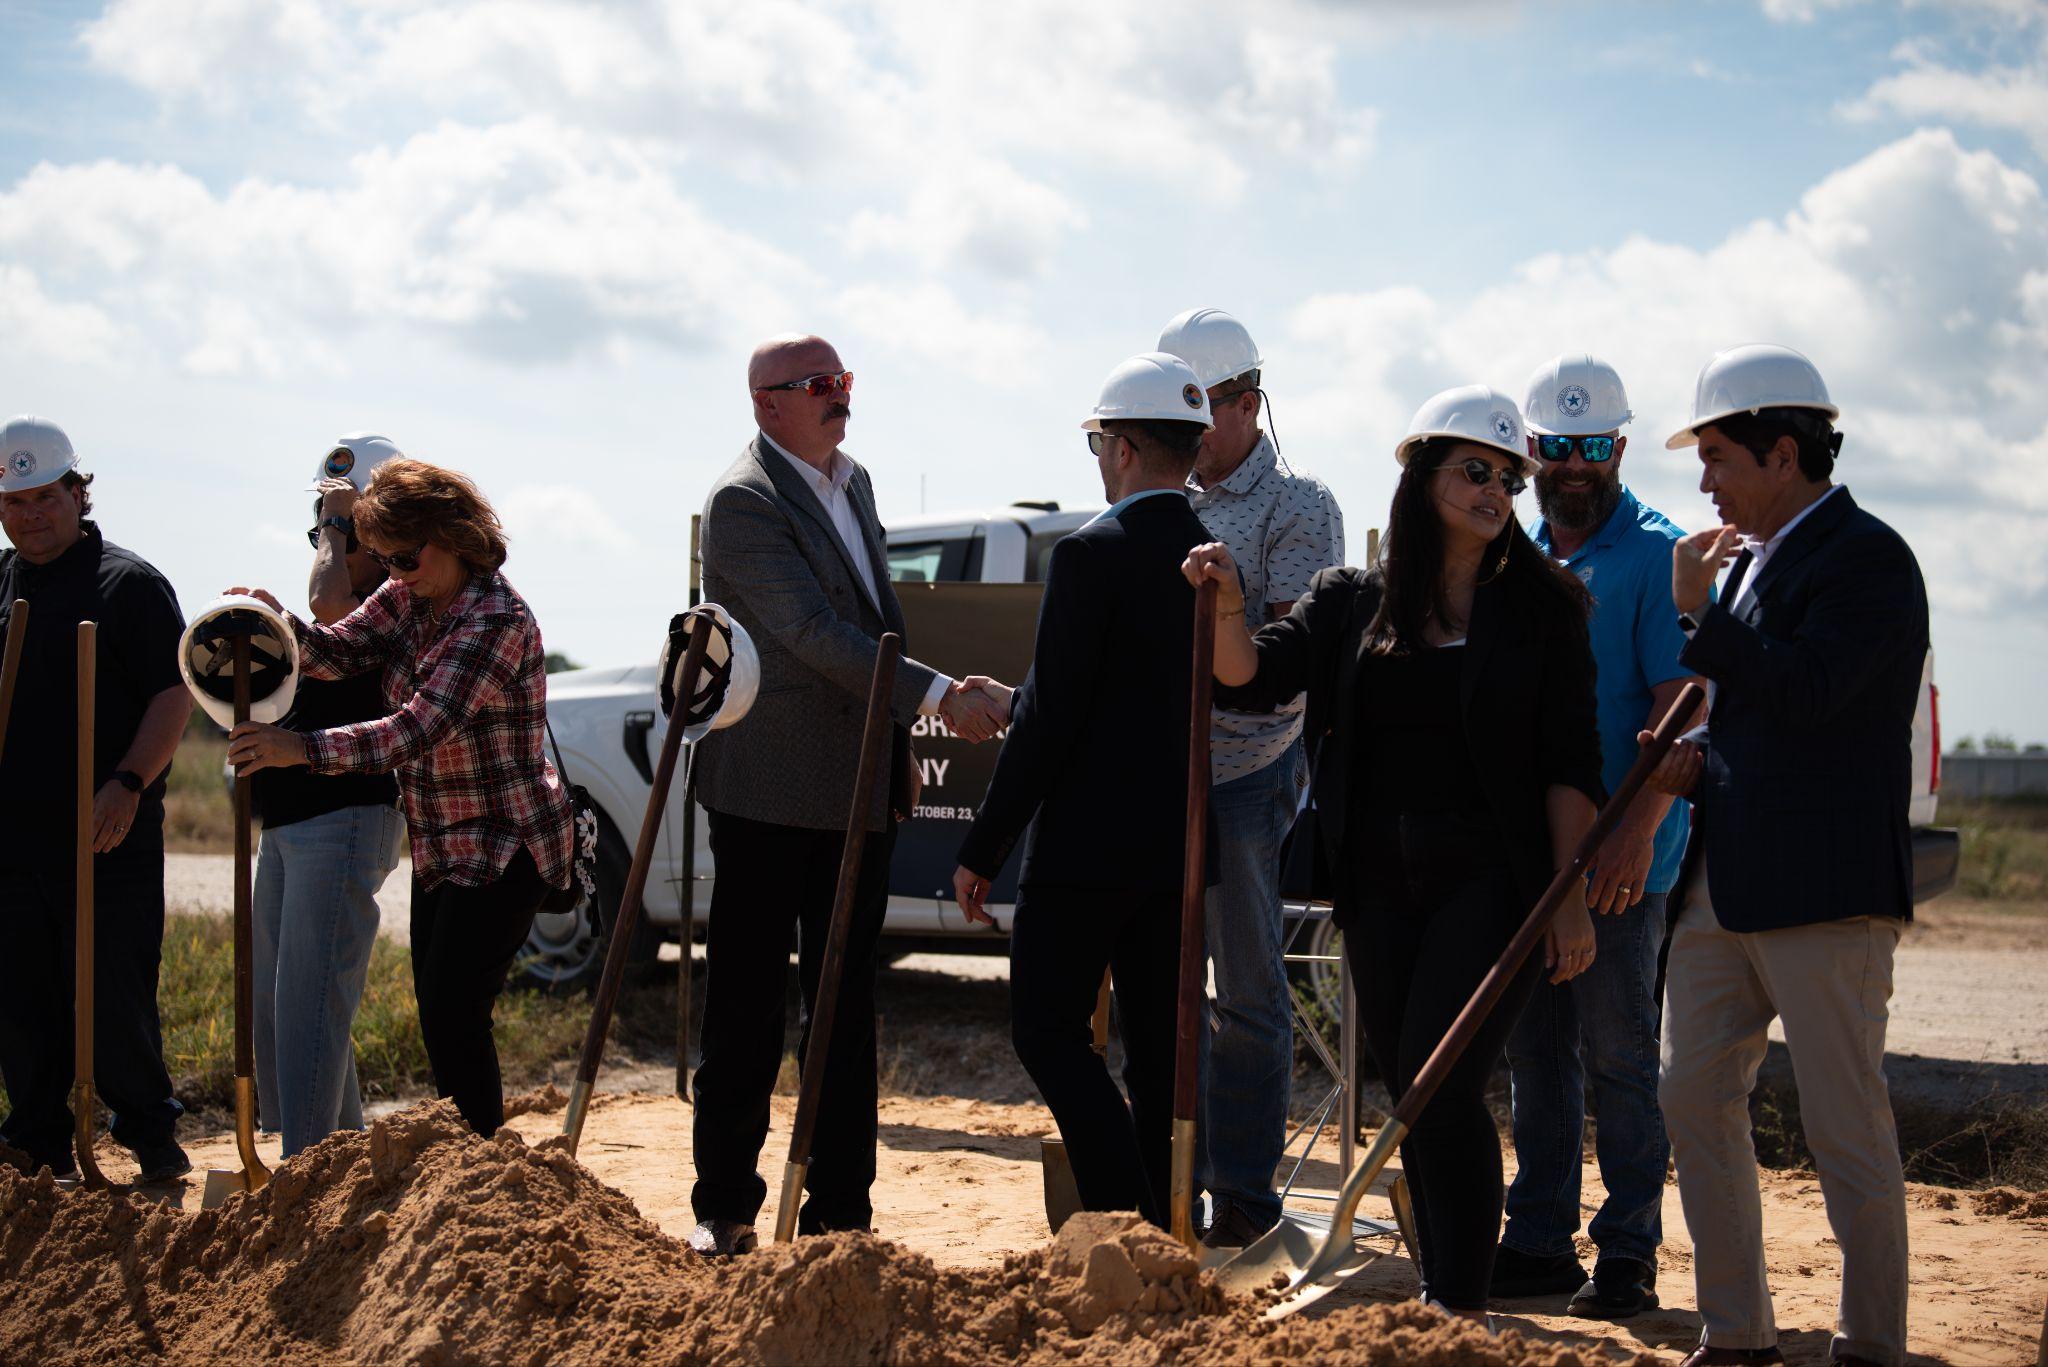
(329, 843)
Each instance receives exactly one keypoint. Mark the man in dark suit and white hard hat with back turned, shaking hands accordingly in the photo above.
(1097, 765)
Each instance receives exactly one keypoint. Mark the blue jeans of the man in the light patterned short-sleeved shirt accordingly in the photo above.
(1248, 1050)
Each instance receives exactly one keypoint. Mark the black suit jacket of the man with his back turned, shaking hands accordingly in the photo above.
(1097, 759)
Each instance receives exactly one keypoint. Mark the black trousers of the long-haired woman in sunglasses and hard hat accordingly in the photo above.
(1437, 915)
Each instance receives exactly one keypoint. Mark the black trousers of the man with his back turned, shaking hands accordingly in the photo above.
(1060, 946)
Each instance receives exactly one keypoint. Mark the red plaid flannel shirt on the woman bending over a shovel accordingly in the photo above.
(466, 733)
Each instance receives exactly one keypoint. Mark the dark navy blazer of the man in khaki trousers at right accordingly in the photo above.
(1801, 813)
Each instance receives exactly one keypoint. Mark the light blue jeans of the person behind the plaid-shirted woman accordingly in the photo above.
(316, 923)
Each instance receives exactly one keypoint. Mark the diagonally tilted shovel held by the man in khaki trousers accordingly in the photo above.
(1287, 1251)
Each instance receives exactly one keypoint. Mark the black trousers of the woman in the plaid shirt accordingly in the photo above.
(464, 942)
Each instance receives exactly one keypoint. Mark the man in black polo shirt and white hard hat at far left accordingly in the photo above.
(69, 573)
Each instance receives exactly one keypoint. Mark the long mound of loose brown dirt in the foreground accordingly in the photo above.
(421, 1243)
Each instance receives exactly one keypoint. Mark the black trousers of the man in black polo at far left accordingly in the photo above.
(36, 1005)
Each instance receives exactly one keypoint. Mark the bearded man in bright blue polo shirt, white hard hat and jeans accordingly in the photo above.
(1601, 1028)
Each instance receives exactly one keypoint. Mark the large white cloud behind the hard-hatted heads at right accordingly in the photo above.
(1912, 278)
